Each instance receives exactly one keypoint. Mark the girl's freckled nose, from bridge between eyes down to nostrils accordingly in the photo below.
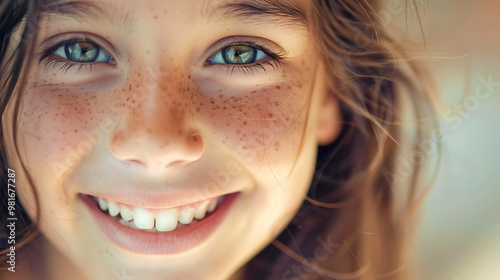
(156, 130)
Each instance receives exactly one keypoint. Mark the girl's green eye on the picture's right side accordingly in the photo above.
(238, 54)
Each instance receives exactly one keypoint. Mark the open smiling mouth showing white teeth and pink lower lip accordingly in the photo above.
(159, 231)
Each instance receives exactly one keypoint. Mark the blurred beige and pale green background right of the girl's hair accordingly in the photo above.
(459, 238)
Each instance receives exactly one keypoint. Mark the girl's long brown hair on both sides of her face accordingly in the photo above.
(350, 214)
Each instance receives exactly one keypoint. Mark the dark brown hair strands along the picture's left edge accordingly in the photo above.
(14, 52)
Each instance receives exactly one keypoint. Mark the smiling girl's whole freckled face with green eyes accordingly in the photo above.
(162, 109)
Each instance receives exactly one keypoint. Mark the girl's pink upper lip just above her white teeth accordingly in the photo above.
(150, 200)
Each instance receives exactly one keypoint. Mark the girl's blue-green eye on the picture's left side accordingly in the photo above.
(82, 51)
